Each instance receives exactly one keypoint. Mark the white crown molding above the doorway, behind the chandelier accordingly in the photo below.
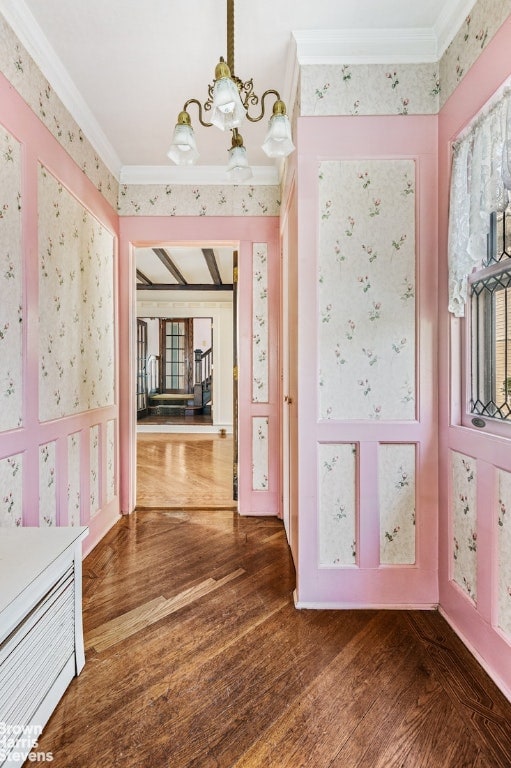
(263, 175)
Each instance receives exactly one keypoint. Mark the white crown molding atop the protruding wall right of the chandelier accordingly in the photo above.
(366, 46)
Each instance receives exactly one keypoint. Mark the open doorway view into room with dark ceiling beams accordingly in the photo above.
(184, 441)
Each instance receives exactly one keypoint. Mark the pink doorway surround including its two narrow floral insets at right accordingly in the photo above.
(256, 237)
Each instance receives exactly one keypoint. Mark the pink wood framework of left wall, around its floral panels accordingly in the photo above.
(39, 146)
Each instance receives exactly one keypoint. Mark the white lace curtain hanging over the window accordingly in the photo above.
(480, 184)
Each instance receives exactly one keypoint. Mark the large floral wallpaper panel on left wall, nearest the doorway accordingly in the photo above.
(76, 308)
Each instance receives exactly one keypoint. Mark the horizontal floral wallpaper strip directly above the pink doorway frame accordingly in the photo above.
(200, 200)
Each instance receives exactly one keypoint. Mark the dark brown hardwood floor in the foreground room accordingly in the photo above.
(196, 657)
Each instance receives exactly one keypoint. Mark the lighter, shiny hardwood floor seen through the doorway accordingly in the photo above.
(177, 471)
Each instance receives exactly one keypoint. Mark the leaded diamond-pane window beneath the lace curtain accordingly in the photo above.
(490, 316)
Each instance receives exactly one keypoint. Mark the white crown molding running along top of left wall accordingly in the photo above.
(31, 37)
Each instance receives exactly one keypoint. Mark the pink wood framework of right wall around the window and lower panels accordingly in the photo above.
(475, 623)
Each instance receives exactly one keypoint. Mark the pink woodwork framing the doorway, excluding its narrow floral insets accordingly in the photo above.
(242, 233)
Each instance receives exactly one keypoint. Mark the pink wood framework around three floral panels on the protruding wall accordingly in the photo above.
(369, 583)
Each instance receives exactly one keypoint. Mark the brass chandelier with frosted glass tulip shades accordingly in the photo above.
(228, 104)
